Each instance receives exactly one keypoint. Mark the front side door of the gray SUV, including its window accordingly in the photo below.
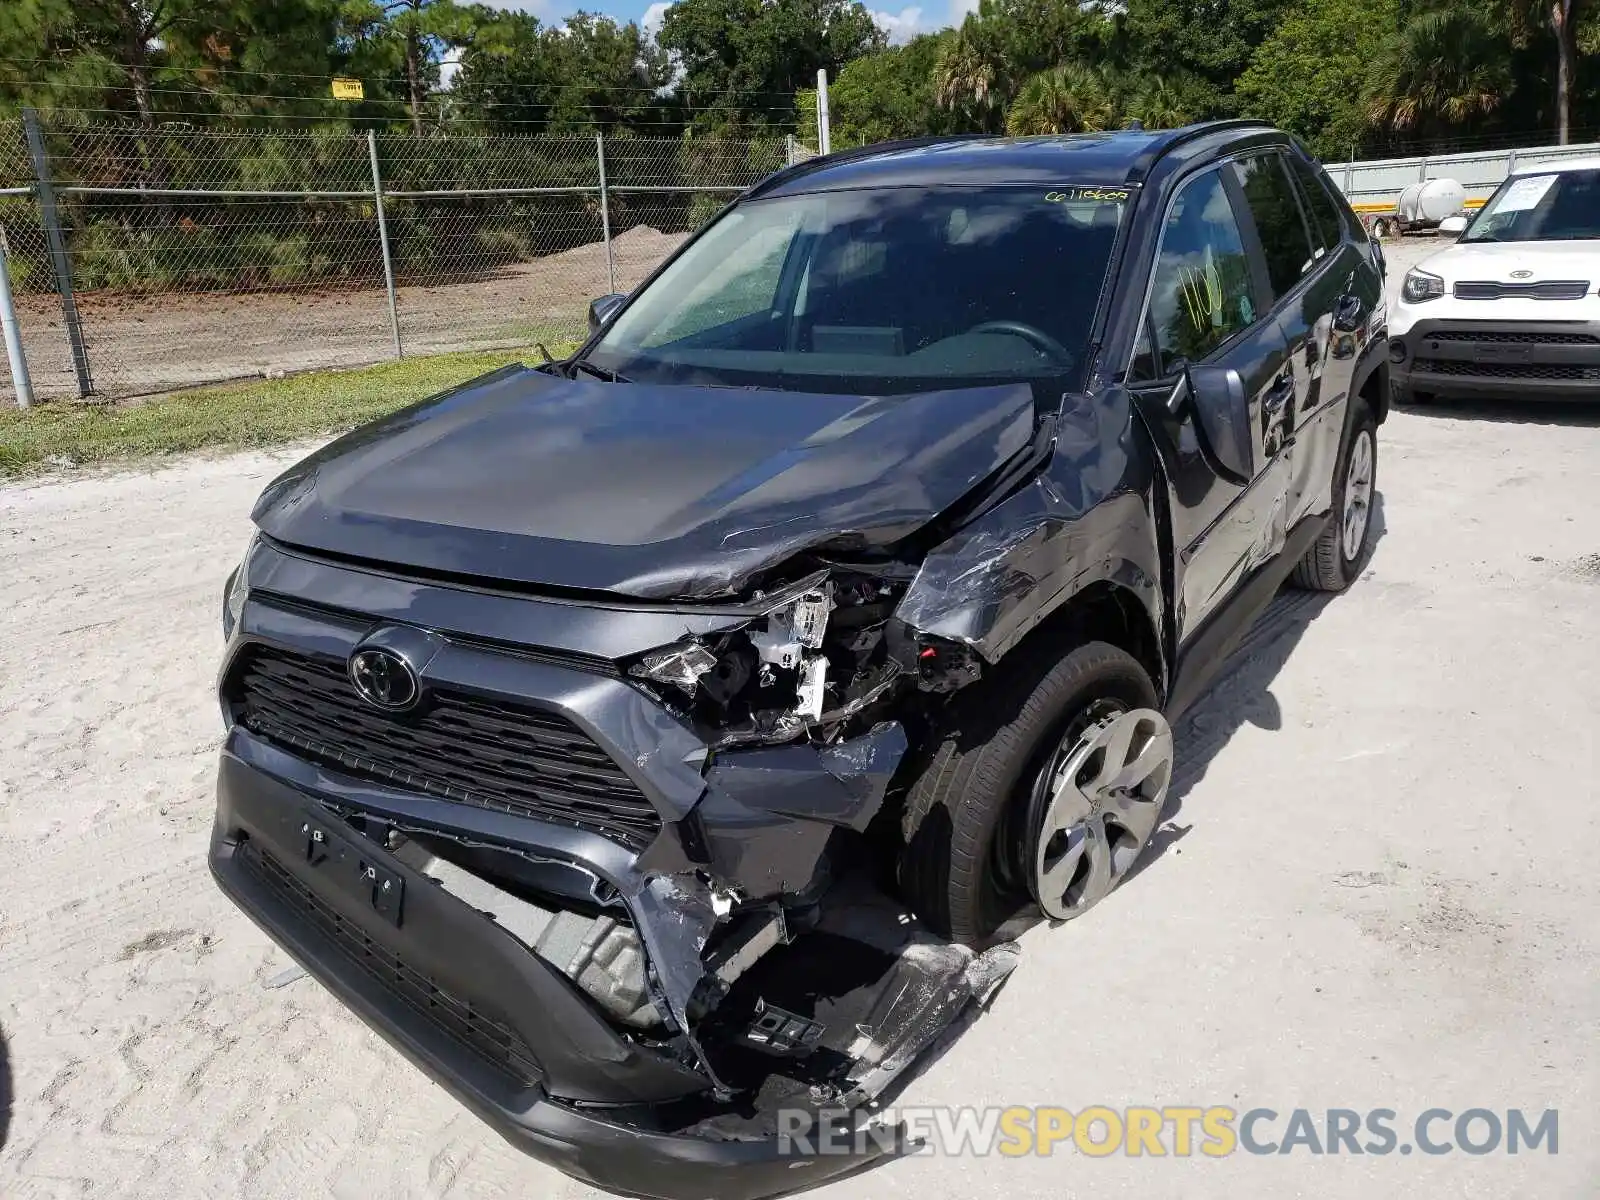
(1209, 303)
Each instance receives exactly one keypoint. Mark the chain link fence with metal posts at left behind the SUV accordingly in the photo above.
(145, 260)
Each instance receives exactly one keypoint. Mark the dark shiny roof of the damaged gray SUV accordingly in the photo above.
(1105, 159)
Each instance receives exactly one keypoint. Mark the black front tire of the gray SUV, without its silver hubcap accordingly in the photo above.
(964, 817)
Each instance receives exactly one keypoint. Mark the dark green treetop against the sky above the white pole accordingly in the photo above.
(743, 62)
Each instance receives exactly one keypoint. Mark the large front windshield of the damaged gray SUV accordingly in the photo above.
(887, 290)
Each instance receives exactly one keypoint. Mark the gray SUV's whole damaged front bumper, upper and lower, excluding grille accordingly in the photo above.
(302, 844)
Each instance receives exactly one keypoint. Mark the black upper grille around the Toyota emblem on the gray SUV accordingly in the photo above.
(458, 748)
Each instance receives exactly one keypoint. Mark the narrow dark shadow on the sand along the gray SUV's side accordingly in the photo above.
(1239, 697)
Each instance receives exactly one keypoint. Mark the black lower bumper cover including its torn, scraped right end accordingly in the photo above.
(506, 1034)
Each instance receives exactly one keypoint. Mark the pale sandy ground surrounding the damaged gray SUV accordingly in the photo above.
(1375, 887)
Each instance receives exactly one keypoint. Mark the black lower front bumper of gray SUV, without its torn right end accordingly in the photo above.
(481, 978)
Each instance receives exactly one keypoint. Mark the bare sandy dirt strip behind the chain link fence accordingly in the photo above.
(140, 345)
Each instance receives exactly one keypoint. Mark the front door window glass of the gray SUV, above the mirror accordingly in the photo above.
(1201, 294)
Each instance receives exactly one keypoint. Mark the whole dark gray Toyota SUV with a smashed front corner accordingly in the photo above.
(663, 746)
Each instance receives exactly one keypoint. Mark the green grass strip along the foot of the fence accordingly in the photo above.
(233, 417)
